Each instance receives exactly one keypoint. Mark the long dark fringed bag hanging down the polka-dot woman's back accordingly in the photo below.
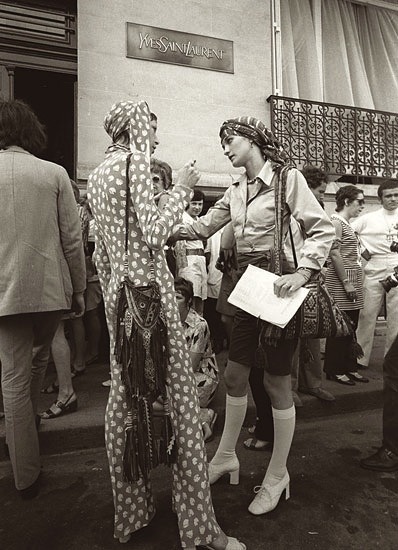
(141, 348)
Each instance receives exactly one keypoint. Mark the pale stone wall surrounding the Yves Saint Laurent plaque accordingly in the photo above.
(190, 103)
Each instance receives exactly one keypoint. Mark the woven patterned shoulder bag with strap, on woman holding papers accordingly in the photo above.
(319, 316)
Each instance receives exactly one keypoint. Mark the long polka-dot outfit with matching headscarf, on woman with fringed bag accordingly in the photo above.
(149, 229)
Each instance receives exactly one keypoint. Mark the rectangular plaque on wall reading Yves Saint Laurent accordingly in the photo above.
(179, 48)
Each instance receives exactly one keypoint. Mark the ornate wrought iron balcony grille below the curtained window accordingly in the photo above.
(339, 138)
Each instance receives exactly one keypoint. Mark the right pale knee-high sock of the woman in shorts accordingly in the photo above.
(284, 423)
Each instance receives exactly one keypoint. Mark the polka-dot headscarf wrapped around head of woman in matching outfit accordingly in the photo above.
(133, 118)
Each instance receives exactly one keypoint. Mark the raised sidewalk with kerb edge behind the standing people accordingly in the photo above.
(84, 429)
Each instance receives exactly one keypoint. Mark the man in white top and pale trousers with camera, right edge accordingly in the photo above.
(378, 233)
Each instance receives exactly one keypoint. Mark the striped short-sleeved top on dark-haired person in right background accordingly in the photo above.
(350, 250)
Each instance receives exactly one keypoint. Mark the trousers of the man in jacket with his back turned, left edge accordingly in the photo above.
(25, 341)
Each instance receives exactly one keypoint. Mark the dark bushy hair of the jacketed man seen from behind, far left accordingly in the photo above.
(20, 126)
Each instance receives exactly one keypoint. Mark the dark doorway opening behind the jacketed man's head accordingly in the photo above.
(51, 96)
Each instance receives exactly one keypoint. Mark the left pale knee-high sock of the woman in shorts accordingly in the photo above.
(235, 412)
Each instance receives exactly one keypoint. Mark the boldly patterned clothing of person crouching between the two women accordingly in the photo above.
(197, 335)
